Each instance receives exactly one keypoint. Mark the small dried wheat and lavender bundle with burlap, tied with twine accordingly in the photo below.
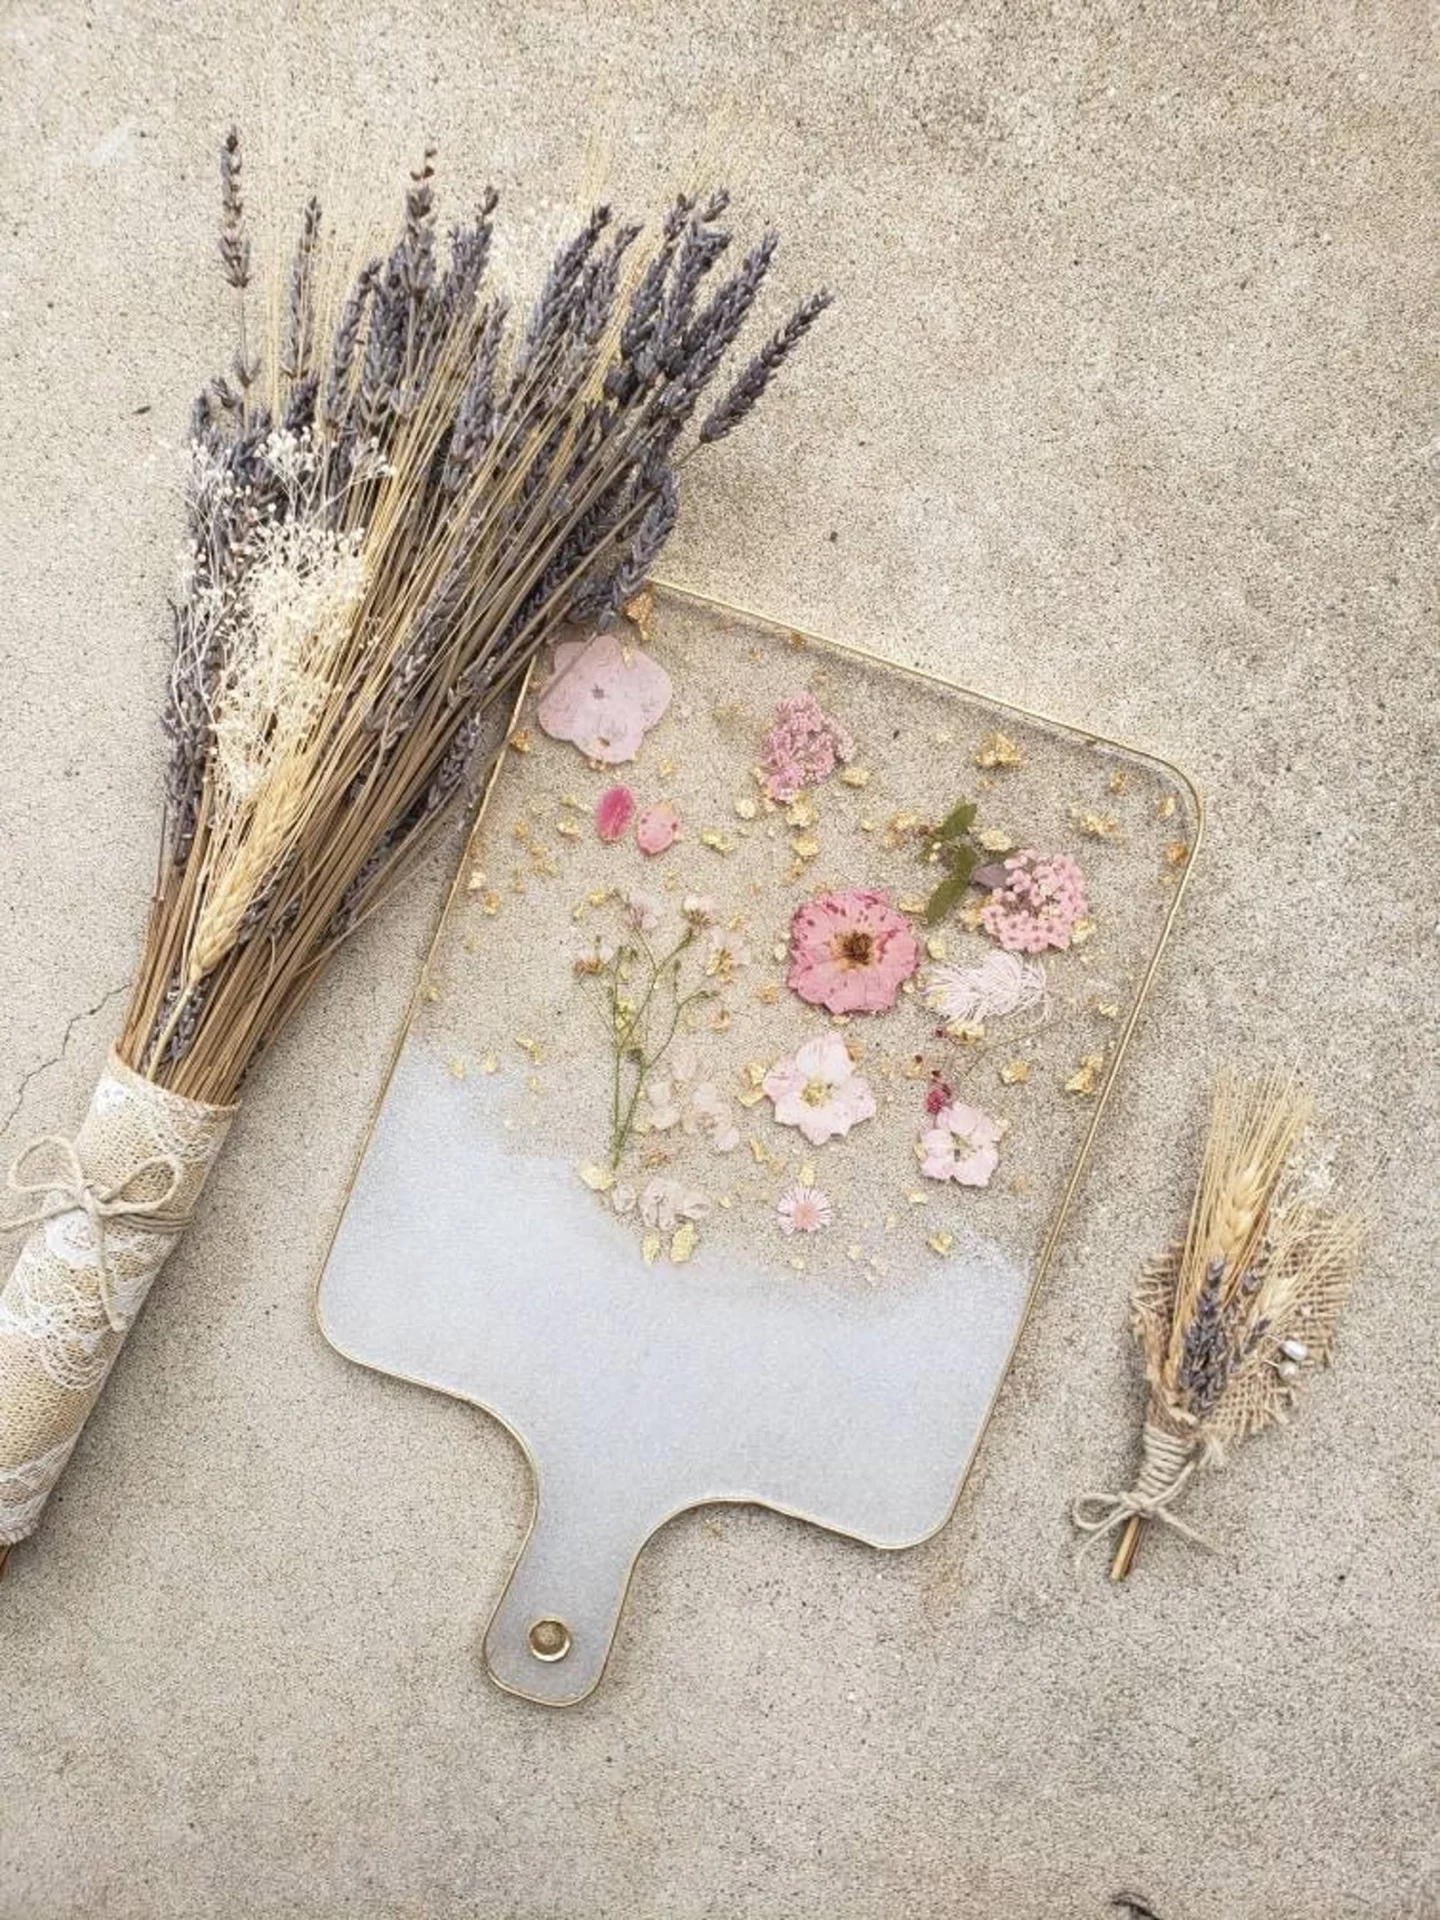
(1232, 1320)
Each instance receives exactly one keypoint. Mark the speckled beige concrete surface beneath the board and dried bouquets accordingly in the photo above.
(1130, 414)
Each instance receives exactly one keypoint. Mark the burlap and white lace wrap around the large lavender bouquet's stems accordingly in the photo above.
(107, 1216)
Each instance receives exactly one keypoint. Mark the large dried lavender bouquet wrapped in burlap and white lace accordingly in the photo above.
(393, 510)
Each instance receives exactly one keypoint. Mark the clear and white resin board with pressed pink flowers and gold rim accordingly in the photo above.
(794, 1262)
